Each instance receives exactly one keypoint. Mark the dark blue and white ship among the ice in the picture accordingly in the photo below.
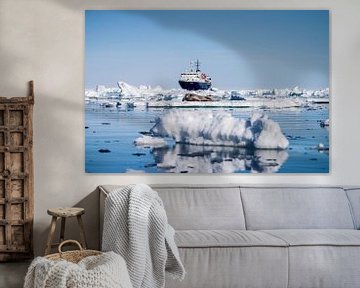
(194, 79)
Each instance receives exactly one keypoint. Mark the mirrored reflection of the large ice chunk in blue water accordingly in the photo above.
(184, 158)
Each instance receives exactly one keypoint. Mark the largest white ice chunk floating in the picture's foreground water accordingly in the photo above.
(220, 129)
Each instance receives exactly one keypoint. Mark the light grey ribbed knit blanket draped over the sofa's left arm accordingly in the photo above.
(136, 227)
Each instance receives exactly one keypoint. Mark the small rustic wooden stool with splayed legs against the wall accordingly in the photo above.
(64, 213)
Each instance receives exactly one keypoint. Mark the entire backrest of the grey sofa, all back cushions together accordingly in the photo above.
(233, 207)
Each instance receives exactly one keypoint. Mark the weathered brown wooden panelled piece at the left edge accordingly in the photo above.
(16, 177)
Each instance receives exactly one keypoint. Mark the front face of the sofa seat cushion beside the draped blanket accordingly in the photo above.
(223, 267)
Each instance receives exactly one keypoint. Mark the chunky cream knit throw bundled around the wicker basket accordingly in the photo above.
(103, 271)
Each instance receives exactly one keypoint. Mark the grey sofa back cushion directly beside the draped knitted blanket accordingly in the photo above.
(203, 208)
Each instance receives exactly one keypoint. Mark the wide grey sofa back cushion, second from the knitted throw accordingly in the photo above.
(296, 208)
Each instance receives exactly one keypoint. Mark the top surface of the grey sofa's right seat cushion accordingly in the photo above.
(315, 237)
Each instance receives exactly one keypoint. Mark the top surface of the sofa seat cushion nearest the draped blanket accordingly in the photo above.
(225, 238)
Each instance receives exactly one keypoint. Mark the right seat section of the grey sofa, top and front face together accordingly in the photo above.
(322, 258)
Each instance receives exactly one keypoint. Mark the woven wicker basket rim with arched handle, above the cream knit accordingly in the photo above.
(72, 256)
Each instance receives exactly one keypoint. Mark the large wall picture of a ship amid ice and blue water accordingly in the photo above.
(207, 91)
